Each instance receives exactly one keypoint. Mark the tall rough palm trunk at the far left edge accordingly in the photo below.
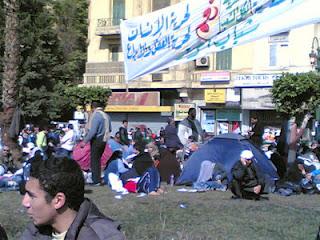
(10, 72)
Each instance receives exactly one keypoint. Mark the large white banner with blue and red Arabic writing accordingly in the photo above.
(196, 28)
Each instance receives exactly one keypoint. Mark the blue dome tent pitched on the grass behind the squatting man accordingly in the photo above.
(225, 149)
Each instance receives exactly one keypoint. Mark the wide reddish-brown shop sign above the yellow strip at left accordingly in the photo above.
(135, 98)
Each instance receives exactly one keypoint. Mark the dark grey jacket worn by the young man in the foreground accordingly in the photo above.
(89, 223)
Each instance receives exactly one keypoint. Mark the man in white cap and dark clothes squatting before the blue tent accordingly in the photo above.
(247, 183)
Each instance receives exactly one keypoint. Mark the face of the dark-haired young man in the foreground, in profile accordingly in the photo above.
(41, 212)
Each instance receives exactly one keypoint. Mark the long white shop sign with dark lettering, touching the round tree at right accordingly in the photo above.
(255, 80)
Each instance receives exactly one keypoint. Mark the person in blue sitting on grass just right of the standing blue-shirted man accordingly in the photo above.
(114, 165)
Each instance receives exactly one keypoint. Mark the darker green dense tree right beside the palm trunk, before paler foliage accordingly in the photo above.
(41, 61)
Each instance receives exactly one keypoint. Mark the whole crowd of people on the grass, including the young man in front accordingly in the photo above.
(133, 160)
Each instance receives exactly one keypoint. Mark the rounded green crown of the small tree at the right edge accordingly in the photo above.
(294, 94)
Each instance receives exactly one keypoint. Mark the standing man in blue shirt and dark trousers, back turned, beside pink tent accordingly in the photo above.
(99, 133)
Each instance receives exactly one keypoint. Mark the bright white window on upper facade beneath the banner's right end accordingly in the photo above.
(279, 50)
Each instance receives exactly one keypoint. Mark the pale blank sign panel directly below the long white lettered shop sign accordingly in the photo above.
(257, 98)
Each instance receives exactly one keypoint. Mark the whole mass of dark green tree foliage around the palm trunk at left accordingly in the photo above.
(53, 37)
